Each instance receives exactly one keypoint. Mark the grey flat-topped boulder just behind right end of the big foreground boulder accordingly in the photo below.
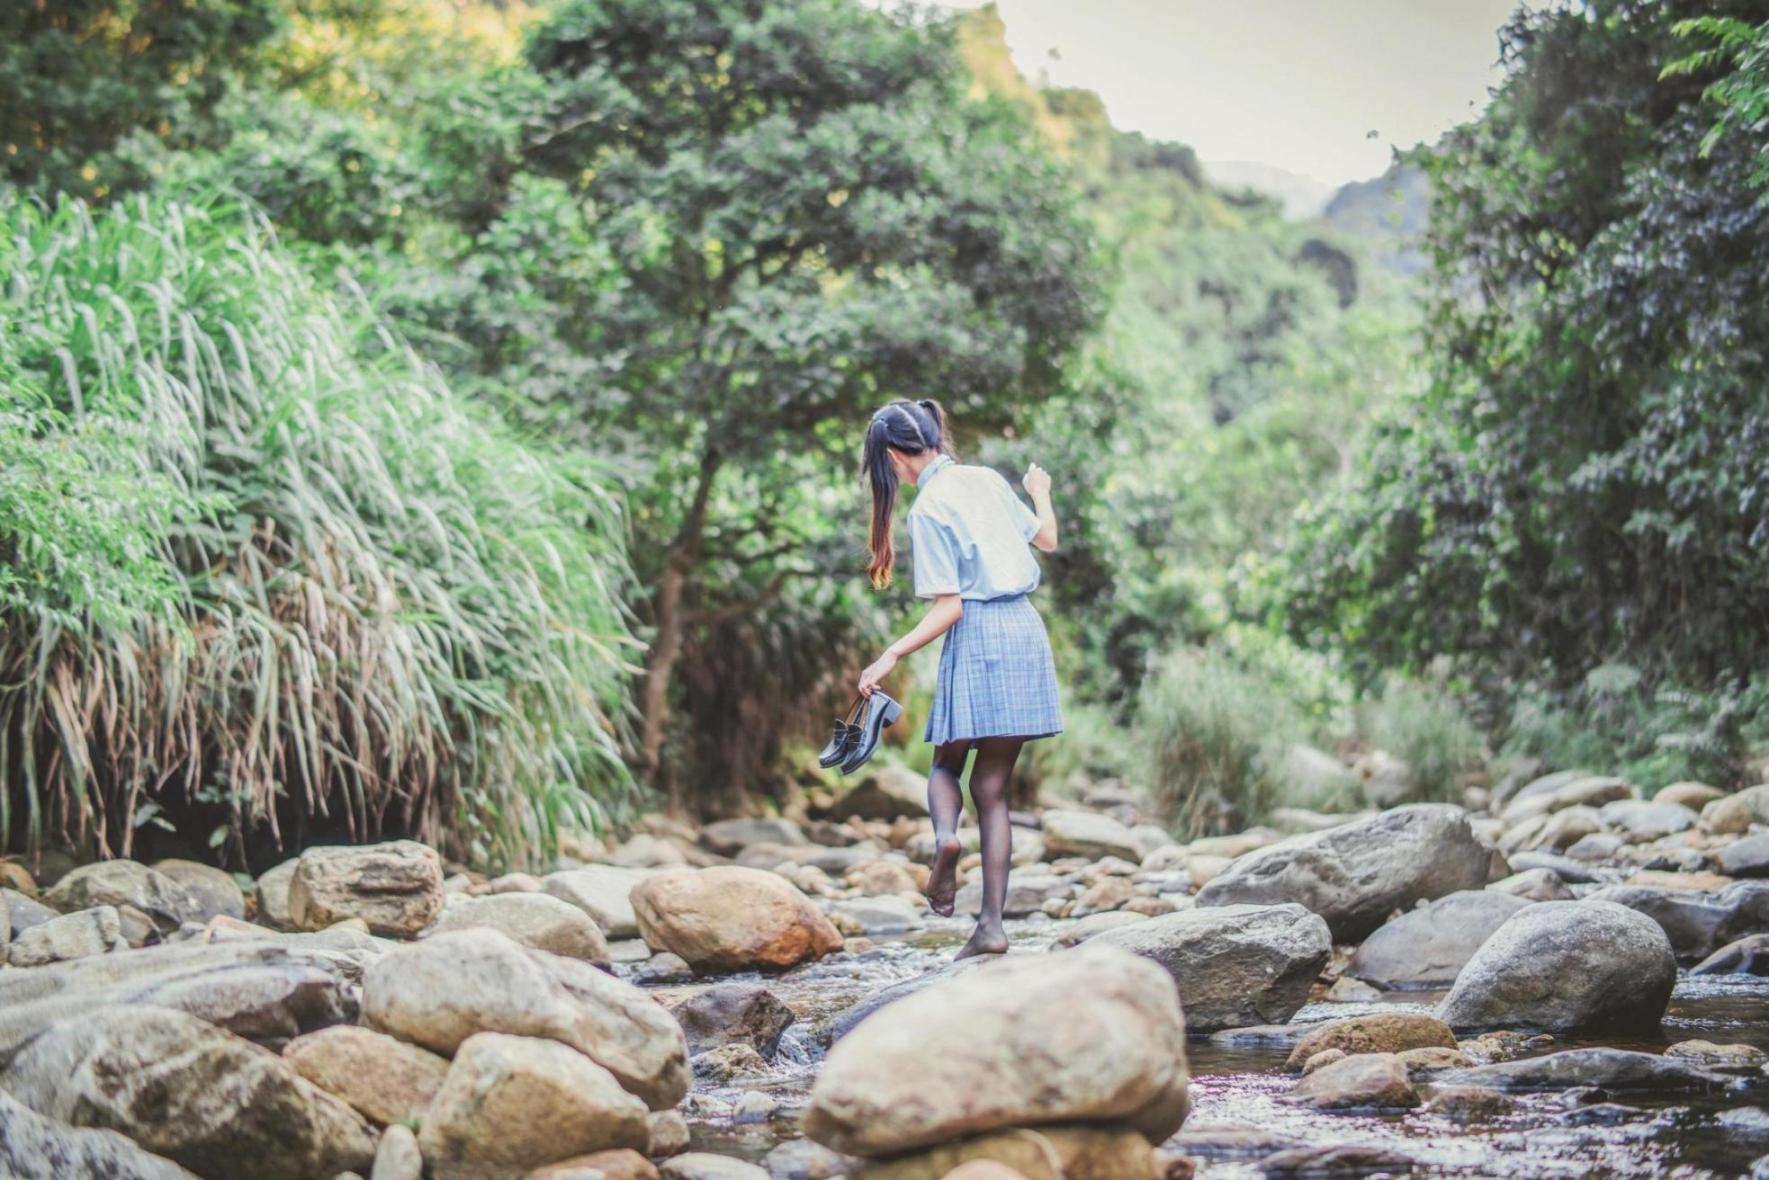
(1234, 965)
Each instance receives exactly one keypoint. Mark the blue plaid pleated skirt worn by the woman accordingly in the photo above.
(997, 677)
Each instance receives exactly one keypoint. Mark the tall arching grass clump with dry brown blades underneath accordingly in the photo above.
(261, 567)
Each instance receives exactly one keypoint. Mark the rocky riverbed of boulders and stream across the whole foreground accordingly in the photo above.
(1556, 981)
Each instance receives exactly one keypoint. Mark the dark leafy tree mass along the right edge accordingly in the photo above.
(1584, 479)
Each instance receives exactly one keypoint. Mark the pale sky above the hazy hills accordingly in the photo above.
(1296, 84)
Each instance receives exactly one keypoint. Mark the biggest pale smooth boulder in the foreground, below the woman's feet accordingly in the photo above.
(1082, 1036)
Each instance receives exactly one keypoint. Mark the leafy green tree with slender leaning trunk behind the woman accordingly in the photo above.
(806, 217)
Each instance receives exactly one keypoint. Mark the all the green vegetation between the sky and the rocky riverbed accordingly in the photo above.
(459, 433)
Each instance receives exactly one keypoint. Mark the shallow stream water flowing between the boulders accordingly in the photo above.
(1237, 1115)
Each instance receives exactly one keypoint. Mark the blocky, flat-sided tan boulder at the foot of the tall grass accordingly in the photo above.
(397, 889)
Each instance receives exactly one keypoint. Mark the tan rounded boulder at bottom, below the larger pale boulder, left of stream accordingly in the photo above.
(516, 1103)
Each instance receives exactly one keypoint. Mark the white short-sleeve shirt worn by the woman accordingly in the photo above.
(970, 535)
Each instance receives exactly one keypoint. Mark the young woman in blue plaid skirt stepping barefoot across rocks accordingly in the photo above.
(969, 535)
